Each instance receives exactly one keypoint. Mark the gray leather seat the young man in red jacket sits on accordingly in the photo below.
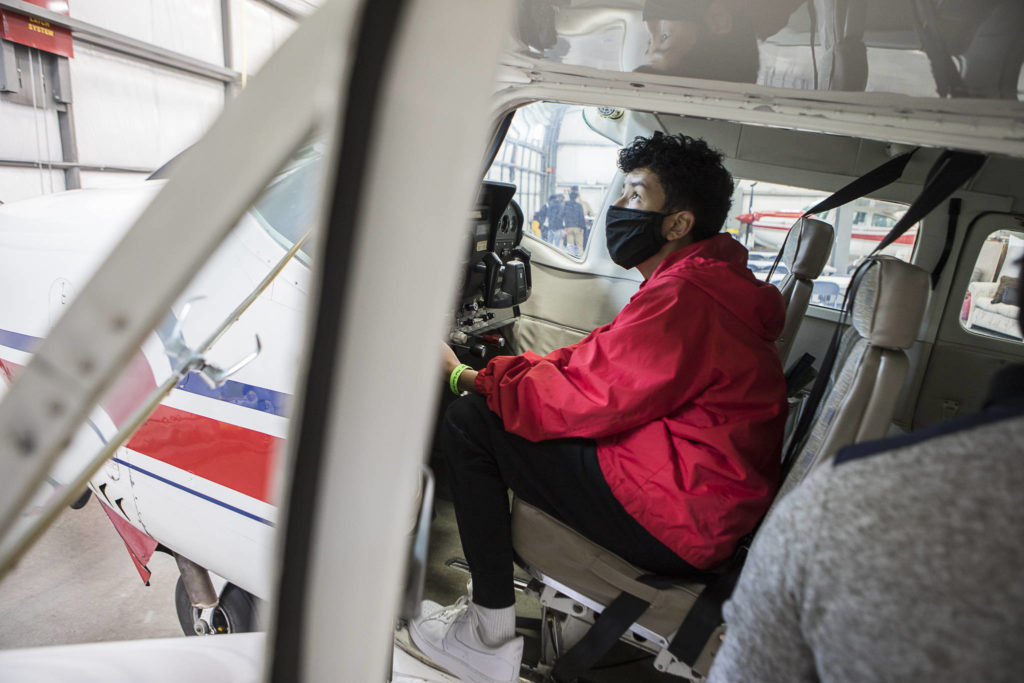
(580, 577)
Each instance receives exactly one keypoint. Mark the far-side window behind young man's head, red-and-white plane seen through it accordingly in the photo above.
(764, 212)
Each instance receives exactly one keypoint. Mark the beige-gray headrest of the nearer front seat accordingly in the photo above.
(890, 303)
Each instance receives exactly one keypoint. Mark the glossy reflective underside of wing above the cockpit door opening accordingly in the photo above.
(924, 50)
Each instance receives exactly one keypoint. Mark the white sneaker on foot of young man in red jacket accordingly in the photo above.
(448, 636)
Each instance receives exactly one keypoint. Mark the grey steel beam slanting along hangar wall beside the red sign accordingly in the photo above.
(94, 35)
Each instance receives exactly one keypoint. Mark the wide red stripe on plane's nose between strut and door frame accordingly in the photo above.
(231, 456)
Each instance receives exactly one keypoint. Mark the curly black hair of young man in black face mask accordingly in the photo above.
(692, 176)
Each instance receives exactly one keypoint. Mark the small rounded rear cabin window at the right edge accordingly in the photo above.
(993, 301)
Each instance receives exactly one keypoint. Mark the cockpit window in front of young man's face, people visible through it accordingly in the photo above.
(562, 169)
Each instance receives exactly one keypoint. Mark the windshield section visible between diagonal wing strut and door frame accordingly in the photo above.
(288, 207)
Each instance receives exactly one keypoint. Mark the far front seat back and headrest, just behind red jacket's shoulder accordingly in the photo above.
(806, 254)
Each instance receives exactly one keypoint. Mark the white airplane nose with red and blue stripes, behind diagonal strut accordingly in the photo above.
(199, 476)
